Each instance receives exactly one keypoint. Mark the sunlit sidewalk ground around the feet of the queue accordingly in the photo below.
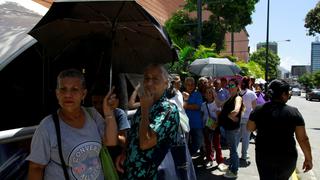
(247, 171)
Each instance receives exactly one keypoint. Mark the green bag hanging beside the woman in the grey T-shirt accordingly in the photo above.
(109, 171)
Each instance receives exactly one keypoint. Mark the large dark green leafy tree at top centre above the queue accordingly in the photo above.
(226, 16)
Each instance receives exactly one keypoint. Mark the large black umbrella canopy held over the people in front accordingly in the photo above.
(120, 33)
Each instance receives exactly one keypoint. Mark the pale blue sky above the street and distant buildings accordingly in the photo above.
(286, 21)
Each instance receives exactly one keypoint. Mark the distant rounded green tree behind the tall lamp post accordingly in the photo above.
(274, 61)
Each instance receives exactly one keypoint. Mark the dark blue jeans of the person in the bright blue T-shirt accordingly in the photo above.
(195, 139)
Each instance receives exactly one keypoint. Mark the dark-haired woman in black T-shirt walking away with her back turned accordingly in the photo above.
(276, 124)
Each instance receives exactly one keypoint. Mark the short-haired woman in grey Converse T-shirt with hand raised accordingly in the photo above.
(82, 132)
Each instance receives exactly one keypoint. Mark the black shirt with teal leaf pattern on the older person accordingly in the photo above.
(164, 121)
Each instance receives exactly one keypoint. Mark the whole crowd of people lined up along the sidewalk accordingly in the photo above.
(202, 114)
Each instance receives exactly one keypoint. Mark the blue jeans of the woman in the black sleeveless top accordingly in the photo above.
(232, 137)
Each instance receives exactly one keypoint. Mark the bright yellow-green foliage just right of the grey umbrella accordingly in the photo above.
(251, 69)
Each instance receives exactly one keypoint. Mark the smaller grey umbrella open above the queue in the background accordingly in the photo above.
(214, 67)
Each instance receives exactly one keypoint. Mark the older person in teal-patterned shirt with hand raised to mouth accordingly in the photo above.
(154, 127)
